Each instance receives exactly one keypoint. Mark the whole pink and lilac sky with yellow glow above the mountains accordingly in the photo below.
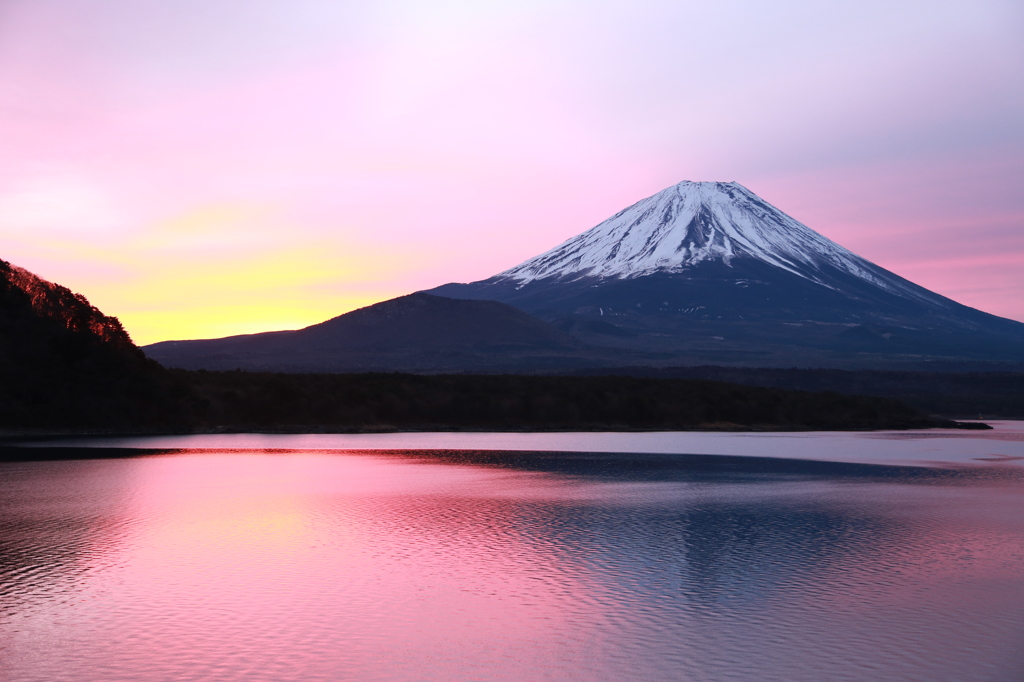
(211, 167)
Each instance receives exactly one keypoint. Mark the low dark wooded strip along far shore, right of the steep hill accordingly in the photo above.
(295, 402)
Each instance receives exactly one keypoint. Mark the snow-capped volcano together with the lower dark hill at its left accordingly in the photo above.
(701, 273)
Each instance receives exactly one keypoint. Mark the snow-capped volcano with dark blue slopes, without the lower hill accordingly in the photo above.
(711, 273)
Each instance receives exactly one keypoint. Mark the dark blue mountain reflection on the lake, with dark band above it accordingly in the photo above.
(742, 531)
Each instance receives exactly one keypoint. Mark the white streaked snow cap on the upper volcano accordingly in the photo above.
(693, 223)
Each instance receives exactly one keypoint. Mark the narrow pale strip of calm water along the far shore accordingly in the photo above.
(943, 448)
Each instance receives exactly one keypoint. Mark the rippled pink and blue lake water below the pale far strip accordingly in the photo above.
(474, 566)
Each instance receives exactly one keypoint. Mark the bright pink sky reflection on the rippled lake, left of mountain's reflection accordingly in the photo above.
(230, 549)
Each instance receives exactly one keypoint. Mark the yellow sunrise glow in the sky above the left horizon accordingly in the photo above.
(227, 270)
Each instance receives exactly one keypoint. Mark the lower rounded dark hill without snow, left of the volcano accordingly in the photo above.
(419, 332)
